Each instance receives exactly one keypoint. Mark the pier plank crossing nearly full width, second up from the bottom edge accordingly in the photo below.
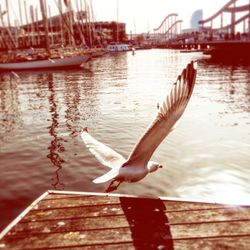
(119, 235)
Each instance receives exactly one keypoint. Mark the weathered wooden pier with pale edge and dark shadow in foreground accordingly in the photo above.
(70, 220)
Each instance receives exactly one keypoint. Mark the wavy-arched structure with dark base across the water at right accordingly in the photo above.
(227, 32)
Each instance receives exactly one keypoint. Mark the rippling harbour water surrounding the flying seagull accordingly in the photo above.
(41, 114)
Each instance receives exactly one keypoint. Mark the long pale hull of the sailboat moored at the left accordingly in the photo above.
(74, 61)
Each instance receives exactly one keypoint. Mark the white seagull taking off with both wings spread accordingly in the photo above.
(138, 164)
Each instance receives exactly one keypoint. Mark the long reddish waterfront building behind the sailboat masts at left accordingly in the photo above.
(62, 32)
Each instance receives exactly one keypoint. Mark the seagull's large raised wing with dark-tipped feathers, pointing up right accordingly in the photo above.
(169, 112)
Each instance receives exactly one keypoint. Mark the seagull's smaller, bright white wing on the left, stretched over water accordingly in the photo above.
(107, 156)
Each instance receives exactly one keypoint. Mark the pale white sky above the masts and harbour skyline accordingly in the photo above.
(139, 15)
